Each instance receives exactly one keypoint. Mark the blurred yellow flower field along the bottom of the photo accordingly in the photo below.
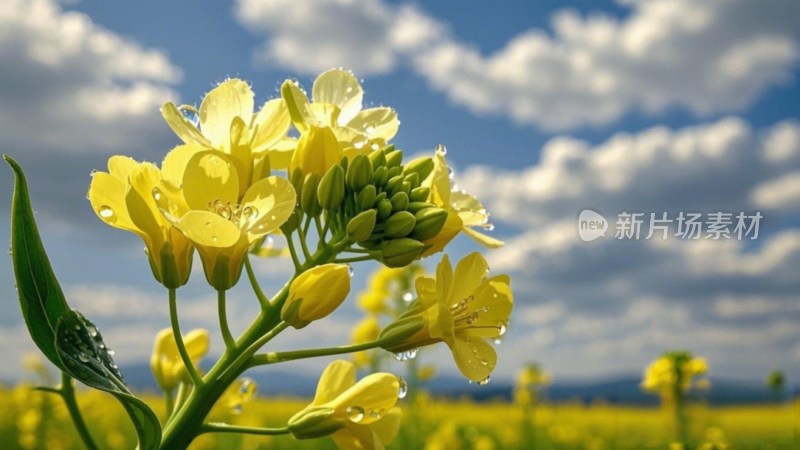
(36, 420)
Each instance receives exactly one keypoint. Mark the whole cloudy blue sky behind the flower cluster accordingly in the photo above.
(546, 107)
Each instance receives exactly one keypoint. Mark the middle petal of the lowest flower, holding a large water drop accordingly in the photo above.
(374, 393)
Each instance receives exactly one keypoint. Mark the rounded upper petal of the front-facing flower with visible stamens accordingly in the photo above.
(210, 176)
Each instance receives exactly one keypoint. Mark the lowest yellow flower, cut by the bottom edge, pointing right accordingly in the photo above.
(358, 415)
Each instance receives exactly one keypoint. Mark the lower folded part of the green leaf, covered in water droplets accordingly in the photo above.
(85, 357)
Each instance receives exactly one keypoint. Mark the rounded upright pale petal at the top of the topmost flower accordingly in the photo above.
(341, 88)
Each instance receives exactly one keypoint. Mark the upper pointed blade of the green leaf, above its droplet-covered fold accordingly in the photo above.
(40, 296)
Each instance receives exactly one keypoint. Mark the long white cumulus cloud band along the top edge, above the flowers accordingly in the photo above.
(702, 56)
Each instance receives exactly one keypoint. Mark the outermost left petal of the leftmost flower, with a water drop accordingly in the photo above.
(107, 196)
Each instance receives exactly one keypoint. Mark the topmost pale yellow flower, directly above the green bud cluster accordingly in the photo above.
(337, 103)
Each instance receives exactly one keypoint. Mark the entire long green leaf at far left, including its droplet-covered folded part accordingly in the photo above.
(64, 336)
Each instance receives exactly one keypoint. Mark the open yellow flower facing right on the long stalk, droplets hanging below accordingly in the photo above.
(461, 308)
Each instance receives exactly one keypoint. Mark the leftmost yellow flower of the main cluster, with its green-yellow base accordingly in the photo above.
(124, 199)
